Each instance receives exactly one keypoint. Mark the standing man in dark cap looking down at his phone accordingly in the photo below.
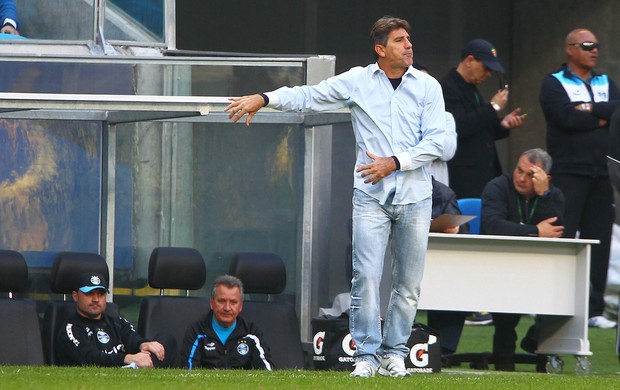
(478, 123)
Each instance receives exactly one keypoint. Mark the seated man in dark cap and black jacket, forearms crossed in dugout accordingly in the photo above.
(91, 337)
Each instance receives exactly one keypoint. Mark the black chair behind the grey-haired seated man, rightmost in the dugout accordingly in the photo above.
(265, 273)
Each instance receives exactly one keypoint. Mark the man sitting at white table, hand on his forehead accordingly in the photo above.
(523, 203)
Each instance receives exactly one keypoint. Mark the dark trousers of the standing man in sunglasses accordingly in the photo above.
(589, 210)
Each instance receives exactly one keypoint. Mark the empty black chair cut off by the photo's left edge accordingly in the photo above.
(20, 333)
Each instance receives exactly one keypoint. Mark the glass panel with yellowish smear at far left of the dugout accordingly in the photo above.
(50, 181)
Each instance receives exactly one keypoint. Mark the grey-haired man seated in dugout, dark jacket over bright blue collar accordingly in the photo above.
(223, 339)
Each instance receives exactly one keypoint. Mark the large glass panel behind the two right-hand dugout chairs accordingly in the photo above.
(218, 188)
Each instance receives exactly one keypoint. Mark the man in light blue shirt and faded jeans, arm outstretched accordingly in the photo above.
(399, 121)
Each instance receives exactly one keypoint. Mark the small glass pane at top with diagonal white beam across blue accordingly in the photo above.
(135, 20)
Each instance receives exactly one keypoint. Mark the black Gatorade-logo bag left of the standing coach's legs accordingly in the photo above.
(332, 344)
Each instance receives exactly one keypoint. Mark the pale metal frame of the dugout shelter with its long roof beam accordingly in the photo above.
(184, 91)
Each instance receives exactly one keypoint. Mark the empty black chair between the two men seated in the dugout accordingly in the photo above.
(173, 268)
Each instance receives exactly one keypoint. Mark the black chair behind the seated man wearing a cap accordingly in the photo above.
(67, 268)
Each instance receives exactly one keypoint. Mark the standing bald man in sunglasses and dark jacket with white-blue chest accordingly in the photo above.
(578, 104)
